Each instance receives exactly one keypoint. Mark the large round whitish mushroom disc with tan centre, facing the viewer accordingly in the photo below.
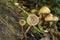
(32, 20)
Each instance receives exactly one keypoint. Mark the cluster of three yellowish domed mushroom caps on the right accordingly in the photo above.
(50, 16)
